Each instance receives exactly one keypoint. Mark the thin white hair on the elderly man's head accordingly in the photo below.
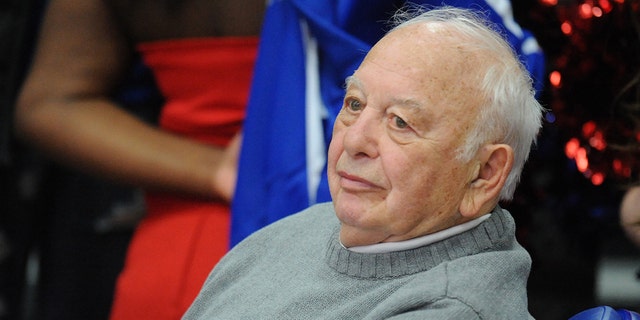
(509, 113)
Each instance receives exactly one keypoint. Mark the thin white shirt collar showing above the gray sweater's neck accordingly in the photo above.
(385, 247)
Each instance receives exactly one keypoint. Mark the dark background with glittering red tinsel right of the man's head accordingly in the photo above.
(567, 217)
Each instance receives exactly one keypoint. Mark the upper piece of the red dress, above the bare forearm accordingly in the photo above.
(205, 83)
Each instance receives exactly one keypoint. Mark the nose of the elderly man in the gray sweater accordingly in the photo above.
(362, 136)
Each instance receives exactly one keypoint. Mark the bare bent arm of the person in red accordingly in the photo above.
(64, 109)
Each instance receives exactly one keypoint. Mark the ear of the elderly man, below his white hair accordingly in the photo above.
(493, 167)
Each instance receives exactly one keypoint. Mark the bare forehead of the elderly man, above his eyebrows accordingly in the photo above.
(439, 73)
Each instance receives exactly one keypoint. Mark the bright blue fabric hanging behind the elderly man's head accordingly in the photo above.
(272, 179)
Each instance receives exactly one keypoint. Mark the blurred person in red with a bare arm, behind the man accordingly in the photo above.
(201, 54)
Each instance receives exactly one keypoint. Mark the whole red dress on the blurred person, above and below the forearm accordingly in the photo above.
(205, 83)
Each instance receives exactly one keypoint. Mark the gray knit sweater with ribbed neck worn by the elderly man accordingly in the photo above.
(297, 269)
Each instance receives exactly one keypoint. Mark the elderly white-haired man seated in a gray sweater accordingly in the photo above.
(436, 125)
